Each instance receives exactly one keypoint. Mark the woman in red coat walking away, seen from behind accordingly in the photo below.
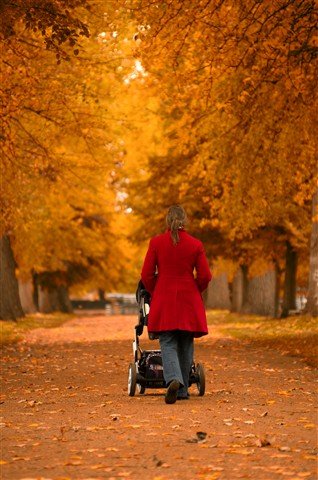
(177, 313)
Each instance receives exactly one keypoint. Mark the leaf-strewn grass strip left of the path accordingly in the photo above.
(12, 331)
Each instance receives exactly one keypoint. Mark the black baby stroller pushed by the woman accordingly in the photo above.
(146, 370)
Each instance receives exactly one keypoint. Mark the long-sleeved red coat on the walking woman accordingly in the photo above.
(176, 301)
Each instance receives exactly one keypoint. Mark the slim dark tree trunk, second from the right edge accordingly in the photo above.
(289, 302)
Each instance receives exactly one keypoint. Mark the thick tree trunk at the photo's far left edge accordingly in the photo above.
(10, 305)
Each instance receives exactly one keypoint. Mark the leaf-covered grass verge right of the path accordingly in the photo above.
(297, 335)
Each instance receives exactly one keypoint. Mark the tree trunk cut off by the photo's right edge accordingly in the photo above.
(312, 300)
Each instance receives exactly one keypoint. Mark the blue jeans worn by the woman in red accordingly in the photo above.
(177, 357)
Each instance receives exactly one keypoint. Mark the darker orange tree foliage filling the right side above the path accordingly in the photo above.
(237, 89)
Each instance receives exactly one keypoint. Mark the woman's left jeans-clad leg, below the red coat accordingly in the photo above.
(170, 360)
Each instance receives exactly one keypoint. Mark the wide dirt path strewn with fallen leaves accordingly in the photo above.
(67, 415)
